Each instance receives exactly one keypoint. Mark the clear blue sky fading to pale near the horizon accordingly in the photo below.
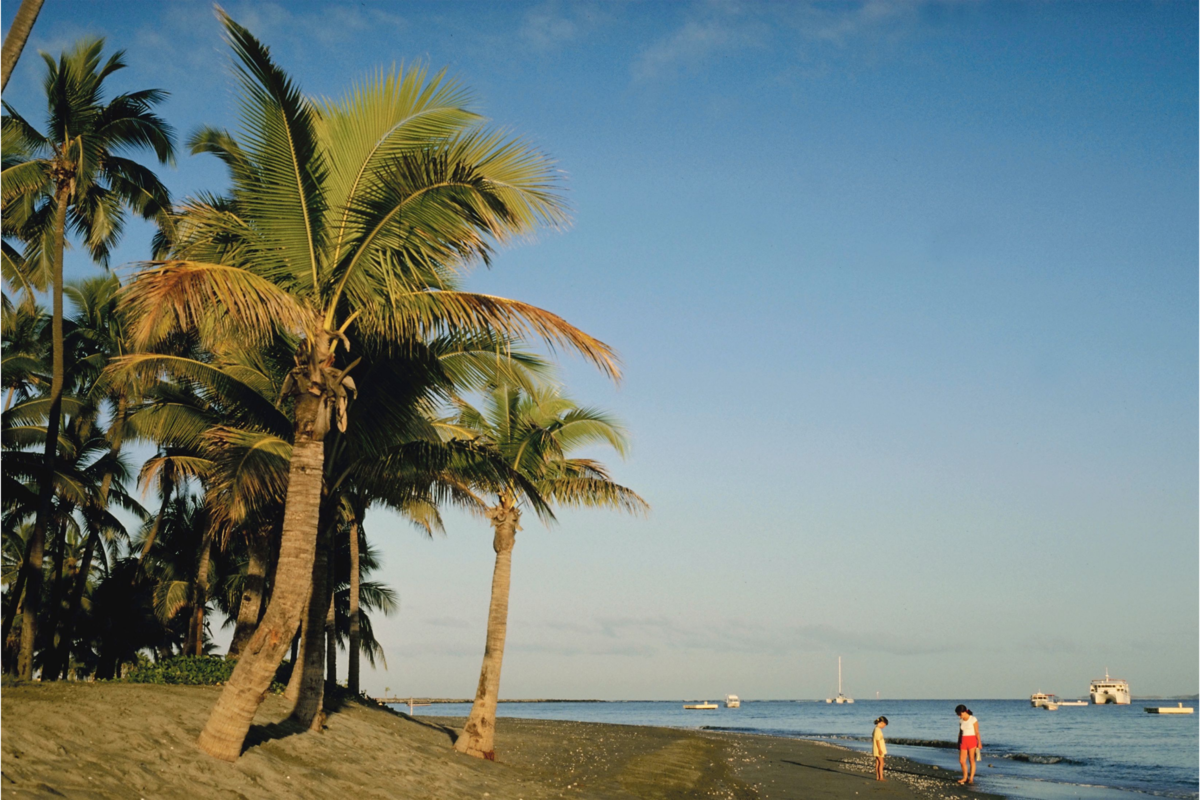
(907, 297)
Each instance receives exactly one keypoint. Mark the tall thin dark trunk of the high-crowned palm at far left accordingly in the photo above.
(46, 492)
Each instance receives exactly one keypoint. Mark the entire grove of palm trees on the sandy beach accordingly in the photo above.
(197, 446)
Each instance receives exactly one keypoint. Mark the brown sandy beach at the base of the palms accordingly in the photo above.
(123, 741)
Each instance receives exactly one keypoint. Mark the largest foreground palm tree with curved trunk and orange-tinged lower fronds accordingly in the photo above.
(346, 221)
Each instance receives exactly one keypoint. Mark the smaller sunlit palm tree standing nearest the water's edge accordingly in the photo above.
(533, 432)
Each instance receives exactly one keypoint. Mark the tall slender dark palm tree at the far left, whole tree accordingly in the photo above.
(71, 176)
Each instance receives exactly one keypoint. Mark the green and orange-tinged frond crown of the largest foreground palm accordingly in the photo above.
(356, 216)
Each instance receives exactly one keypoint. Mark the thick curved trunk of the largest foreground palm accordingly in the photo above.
(317, 388)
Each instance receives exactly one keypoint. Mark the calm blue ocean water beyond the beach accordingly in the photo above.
(1095, 753)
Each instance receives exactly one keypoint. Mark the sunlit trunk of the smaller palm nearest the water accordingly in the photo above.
(478, 736)
